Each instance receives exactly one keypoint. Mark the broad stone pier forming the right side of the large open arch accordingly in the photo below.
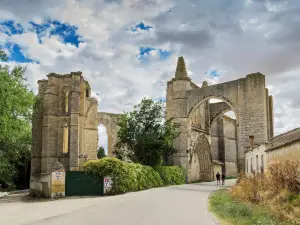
(252, 114)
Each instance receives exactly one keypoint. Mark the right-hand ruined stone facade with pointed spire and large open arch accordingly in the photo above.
(188, 104)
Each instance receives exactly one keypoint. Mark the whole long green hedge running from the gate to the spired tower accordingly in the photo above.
(129, 177)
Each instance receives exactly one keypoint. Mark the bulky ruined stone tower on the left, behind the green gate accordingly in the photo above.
(64, 127)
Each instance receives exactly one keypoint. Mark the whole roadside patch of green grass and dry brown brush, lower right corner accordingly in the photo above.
(270, 198)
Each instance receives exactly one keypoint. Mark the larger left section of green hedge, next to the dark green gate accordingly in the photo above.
(126, 176)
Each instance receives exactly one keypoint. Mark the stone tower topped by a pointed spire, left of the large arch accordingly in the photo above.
(176, 107)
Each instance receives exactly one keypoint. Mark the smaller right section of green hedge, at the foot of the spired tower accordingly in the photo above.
(172, 175)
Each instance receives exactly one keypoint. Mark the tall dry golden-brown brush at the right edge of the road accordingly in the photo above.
(278, 188)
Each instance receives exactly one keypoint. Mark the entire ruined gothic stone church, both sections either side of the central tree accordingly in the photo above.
(66, 119)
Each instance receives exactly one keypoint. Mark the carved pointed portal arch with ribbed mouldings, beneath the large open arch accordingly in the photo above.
(202, 151)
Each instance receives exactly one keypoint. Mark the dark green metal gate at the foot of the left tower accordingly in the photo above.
(78, 183)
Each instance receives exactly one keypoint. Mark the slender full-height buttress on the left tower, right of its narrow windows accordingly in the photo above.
(74, 121)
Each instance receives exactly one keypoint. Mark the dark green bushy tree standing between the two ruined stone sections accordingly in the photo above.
(145, 136)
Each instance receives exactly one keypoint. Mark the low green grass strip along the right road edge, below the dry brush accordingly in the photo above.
(238, 213)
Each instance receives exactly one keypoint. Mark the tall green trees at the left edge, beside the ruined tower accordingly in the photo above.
(15, 125)
